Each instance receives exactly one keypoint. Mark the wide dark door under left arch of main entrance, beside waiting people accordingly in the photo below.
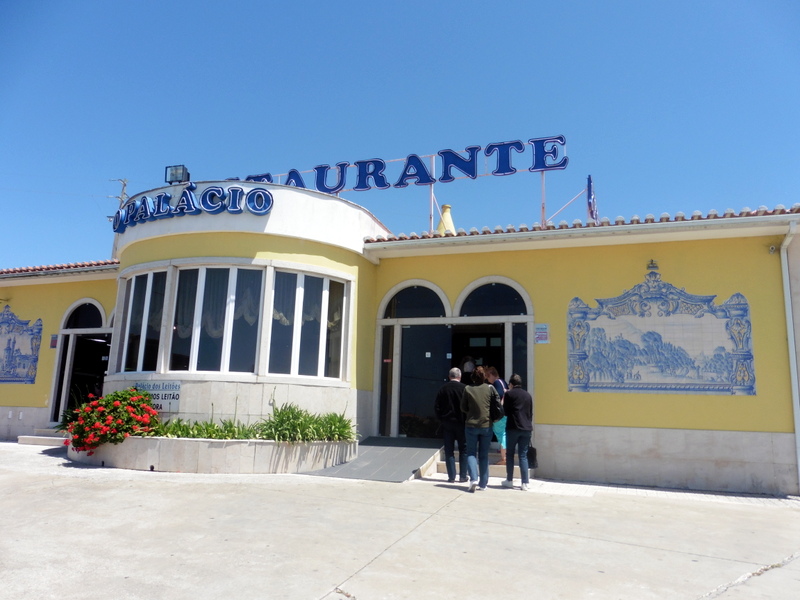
(425, 359)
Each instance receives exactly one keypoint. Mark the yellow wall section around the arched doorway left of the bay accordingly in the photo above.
(48, 299)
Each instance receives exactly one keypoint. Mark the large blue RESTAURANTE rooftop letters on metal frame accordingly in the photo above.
(371, 173)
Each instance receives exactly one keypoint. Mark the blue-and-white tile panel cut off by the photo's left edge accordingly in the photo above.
(19, 344)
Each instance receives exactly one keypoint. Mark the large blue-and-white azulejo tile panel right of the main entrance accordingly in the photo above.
(656, 338)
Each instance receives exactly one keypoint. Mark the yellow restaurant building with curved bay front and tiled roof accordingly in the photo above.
(659, 352)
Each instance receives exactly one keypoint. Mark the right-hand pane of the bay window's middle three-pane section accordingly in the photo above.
(246, 321)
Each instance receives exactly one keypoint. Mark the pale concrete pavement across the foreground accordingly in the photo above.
(71, 532)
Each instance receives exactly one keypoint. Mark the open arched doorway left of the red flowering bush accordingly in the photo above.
(84, 344)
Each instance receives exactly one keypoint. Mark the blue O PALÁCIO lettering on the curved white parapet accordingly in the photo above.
(212, 200)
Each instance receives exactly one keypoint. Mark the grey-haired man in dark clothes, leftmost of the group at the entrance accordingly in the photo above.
(448, 409)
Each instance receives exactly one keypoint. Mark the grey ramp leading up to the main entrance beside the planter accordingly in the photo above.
(386, 459)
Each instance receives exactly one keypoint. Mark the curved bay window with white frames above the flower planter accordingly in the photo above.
(217, 321)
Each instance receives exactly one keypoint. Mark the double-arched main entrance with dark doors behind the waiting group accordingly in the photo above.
(420, 340)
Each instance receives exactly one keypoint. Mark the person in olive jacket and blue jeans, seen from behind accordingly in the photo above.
(478, 427)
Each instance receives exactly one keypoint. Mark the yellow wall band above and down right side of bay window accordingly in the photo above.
(261, 246)
